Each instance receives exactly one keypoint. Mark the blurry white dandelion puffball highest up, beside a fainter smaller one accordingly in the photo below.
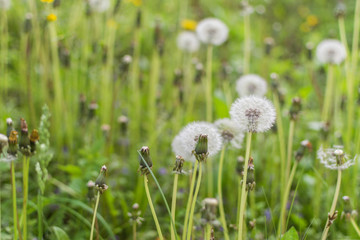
(212, 31)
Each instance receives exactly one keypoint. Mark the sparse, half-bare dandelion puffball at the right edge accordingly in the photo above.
(330, 157)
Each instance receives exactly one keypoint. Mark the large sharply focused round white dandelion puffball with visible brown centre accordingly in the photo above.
(253, 114)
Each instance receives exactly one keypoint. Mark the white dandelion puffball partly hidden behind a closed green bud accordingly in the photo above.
(185, 142)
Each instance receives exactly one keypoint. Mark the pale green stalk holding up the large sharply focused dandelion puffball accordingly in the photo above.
(243, 188)
